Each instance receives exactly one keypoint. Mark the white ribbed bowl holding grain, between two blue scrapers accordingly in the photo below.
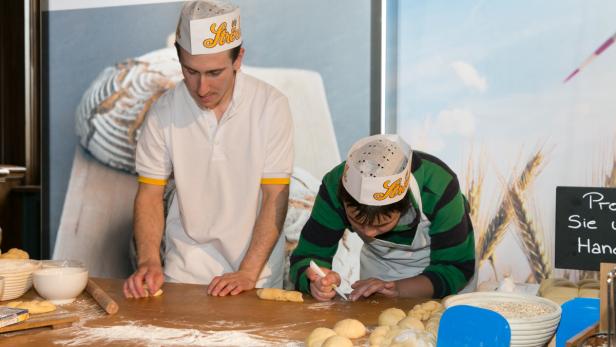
(529, 330)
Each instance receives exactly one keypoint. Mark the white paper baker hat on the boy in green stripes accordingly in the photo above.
(378, 170)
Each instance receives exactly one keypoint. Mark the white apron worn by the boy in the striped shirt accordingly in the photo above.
(391, 261)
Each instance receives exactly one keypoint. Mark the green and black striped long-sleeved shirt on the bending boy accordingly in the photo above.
(452, 246)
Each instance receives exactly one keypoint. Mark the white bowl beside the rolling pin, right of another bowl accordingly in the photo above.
(60, 285)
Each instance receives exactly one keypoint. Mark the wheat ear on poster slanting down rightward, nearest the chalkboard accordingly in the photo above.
(533, 248)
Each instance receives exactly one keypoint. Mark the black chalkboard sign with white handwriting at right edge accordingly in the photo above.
(585, 227)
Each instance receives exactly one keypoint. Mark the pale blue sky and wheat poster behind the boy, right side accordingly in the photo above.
(481, 86)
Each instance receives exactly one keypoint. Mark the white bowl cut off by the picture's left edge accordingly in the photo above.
(17, 275)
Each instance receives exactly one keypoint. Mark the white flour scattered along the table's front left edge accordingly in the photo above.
(151, 335)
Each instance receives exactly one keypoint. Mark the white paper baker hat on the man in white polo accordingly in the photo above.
(208, 26)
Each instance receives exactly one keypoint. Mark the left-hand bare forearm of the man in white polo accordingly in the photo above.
(148, 226)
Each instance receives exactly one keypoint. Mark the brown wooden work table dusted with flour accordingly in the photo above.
(186, 306)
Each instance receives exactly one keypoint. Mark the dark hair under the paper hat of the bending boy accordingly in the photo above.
(367, 214)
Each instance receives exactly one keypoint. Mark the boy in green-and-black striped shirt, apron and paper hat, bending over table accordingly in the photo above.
(408, 209)
